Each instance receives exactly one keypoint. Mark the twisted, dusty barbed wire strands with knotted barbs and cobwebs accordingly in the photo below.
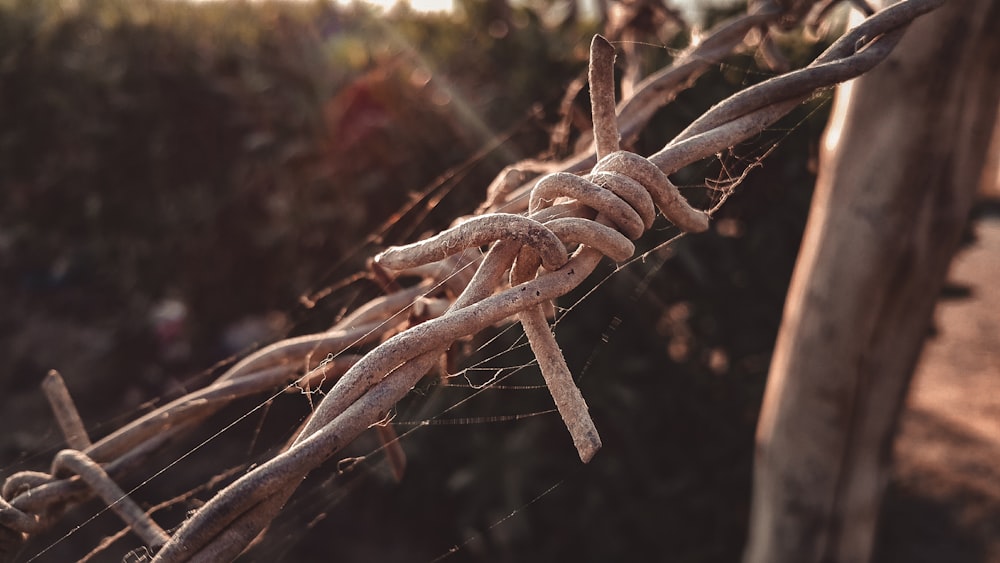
(531, 227)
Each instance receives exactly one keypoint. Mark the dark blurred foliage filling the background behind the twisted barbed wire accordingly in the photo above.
(235, 156)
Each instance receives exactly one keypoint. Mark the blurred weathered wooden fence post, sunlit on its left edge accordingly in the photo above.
(902, 159)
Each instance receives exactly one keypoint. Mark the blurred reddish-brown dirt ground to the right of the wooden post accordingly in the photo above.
(943, 503)
